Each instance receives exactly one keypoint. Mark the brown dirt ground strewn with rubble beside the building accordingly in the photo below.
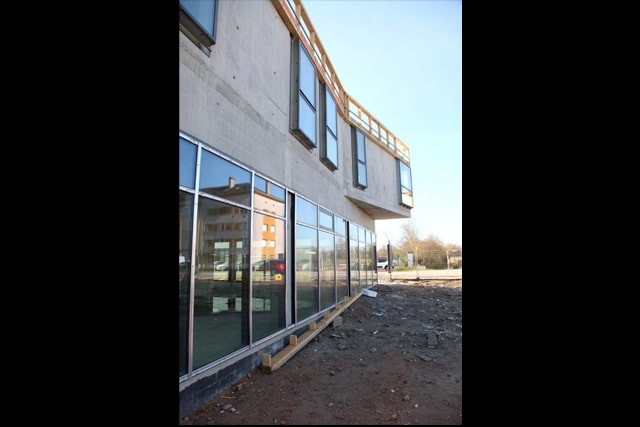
(395, 359)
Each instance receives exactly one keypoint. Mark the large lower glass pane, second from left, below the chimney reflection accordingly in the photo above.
(221, 308)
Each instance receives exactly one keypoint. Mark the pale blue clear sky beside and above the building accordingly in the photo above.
(402, 61)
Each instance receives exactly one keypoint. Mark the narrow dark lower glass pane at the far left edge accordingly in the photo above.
(185, 229)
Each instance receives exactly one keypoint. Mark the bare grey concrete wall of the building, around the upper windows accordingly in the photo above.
(236, 99)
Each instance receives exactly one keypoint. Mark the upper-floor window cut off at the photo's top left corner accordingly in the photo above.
(198, 21)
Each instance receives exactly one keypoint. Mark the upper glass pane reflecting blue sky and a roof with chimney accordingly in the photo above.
(222, 178)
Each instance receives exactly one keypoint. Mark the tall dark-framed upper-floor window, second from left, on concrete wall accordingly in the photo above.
(303, 98)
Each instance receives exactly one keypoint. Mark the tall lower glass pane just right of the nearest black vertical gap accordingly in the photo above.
(306, 252)
